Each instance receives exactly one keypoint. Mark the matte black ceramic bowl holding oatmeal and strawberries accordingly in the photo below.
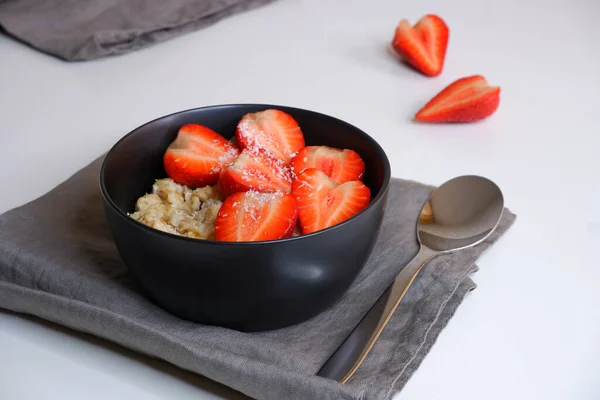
(245, 286)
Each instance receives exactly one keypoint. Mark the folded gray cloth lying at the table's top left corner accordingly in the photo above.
(85, 30)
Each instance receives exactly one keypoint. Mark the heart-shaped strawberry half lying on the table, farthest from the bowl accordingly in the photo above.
(424, 45)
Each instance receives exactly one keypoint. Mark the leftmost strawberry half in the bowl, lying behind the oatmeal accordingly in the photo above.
(197, 155)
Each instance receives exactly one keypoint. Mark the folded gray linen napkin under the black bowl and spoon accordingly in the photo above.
(58, 262)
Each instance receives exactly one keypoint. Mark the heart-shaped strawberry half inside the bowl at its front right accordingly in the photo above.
(323, 203)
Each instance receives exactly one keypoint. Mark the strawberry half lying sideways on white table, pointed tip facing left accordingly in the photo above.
(466, 100)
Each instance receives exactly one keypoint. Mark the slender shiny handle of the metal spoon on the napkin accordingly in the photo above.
(350, 355)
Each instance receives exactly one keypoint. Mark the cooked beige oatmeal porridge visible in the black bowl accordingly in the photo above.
(180, 210)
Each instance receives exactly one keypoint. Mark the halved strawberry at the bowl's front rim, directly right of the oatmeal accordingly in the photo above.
(253, 216)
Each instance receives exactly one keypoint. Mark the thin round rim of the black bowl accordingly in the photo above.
(382, 191)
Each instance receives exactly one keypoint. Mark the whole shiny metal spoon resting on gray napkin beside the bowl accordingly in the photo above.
(459, 214)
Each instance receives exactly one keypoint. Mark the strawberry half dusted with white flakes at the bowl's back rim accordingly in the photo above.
(271, 130)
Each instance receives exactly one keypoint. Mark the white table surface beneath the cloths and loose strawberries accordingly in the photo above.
(530, 330)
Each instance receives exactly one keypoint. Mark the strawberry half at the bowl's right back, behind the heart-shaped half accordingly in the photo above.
(340, 165)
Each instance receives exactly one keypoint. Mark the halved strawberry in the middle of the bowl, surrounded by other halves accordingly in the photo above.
(255, 170)
